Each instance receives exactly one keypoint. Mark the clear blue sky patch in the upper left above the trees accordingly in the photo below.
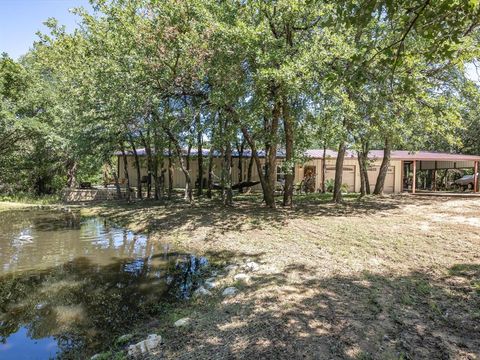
(21, 19)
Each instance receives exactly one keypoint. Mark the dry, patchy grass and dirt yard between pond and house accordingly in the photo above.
(389, 278)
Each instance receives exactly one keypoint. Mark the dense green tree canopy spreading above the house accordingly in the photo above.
(149, 73)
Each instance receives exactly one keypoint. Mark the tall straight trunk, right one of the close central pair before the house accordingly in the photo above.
(289, 140)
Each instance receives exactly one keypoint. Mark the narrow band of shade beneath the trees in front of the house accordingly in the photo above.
(149, 216)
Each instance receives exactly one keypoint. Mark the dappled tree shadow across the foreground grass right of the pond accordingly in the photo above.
(368, 316)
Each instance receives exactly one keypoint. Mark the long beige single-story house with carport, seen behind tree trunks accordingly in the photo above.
(400, 176)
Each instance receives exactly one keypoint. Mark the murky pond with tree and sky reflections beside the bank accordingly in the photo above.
(69, 284)
